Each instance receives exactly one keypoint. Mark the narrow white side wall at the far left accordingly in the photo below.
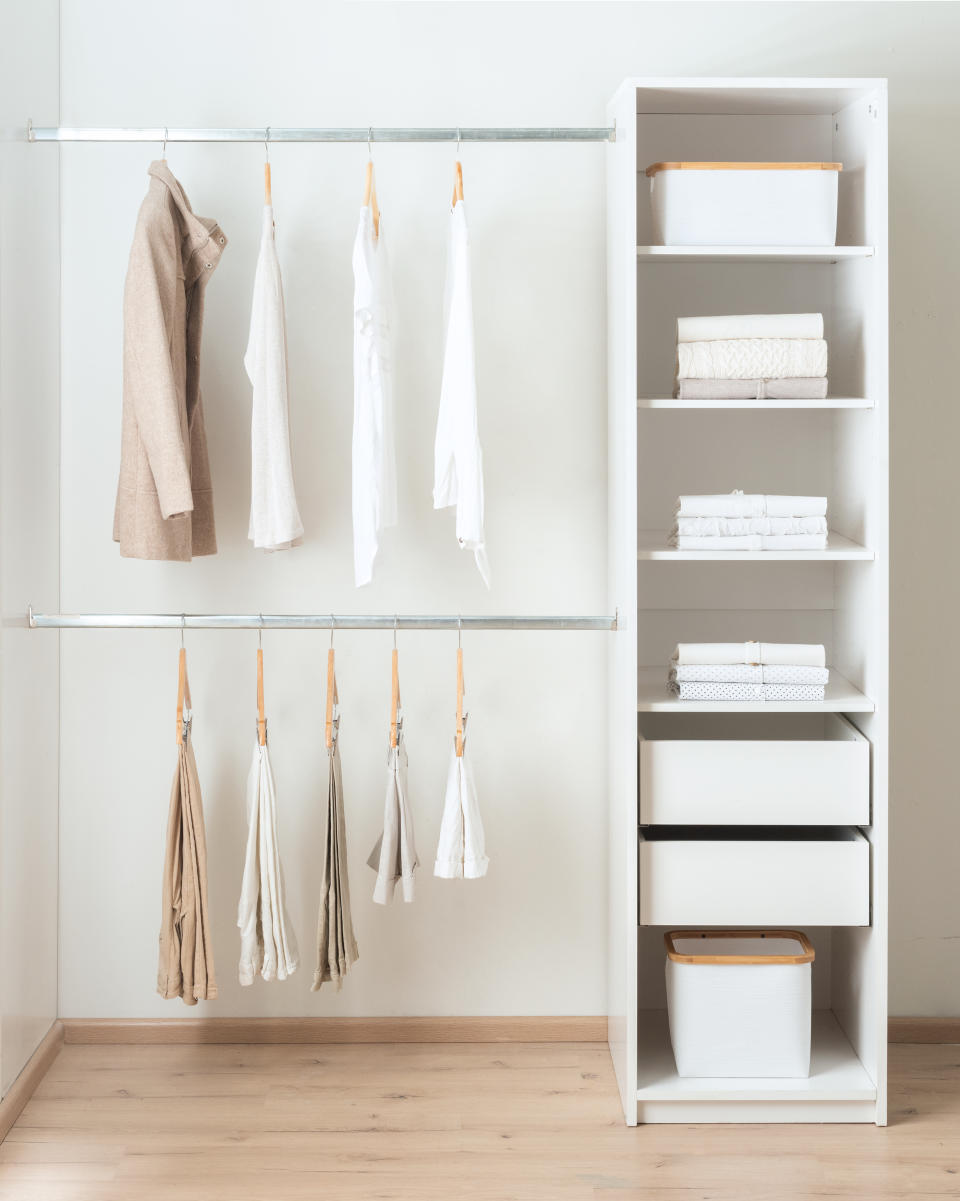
(29, 536)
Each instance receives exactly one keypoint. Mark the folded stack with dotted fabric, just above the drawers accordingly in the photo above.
(749, 672)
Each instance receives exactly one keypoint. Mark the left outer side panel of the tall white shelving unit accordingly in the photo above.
(622, 384)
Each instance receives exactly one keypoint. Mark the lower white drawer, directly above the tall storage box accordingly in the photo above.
(749, 877)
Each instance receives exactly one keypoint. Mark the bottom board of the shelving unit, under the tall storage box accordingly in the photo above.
(836, 1072)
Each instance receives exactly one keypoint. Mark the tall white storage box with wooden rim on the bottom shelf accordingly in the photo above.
(740, 1002)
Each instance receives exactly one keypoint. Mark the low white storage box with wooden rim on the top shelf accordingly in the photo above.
(744, 204)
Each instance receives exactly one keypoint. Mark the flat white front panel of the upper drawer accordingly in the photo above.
(762, 782)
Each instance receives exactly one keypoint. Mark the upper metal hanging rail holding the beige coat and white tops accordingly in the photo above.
(288, 134)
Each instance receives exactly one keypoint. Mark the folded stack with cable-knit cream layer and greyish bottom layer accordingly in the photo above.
(762, 357)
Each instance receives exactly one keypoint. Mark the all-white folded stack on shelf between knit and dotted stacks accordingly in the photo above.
(736, 522)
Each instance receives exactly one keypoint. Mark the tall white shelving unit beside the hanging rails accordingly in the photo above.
(661, 447)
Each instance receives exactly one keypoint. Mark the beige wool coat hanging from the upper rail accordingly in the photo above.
(165, 503)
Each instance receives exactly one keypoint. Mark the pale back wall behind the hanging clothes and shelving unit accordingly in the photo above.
(530, 939)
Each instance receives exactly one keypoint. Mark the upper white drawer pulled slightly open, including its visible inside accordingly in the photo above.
(753, 769)
